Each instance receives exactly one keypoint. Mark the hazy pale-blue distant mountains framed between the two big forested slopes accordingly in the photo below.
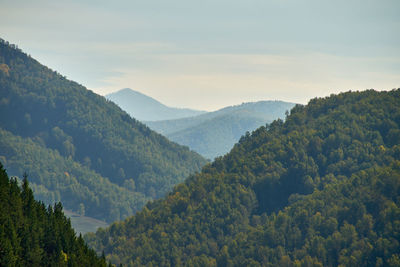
(211, 134)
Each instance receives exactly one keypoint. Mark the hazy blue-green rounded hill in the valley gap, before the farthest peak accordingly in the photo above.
(214, 134)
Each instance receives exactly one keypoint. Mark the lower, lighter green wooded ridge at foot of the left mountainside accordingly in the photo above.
(54, 178)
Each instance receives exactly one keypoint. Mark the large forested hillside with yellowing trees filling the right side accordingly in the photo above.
(318, 189)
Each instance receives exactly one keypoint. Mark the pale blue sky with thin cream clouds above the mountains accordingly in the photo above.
(210, 54)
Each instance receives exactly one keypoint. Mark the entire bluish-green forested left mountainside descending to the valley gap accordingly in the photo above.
(80, 148)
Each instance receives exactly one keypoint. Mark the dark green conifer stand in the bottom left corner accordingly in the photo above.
(32, 234)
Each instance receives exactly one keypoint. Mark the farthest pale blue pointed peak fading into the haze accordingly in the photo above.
(145, 108)
